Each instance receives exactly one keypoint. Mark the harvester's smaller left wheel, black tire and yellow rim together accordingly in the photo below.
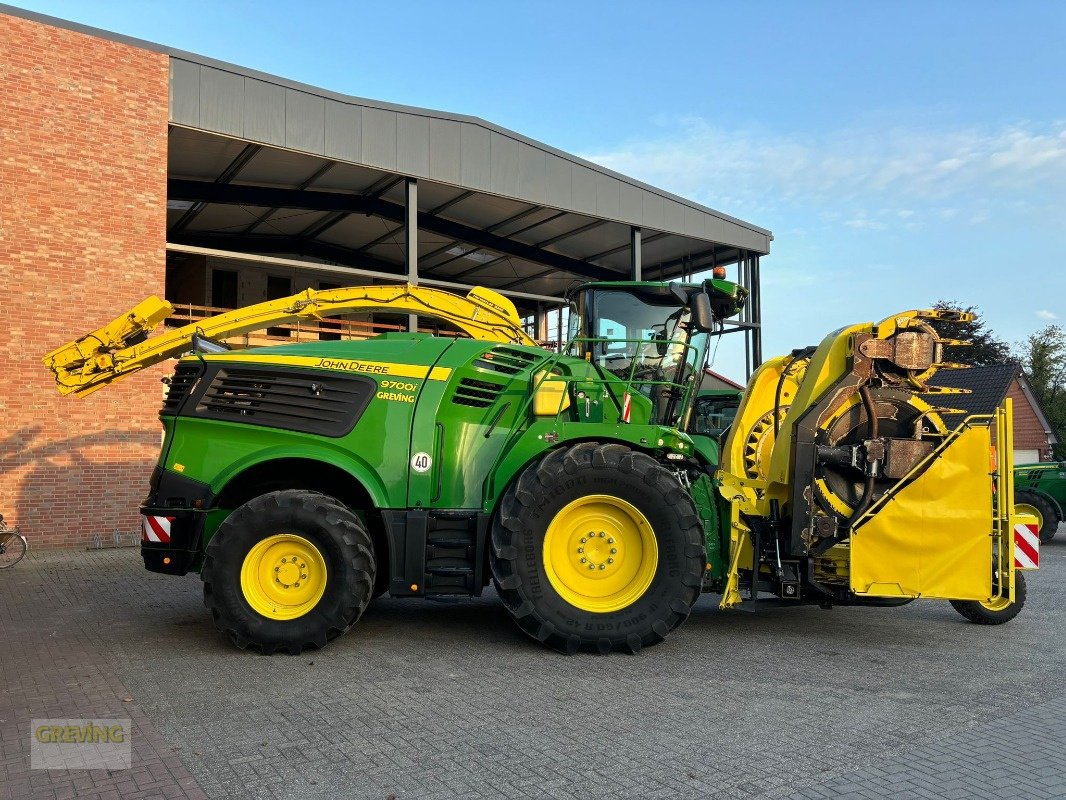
(288, 571)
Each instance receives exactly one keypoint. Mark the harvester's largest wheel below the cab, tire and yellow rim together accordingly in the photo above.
(597, 548)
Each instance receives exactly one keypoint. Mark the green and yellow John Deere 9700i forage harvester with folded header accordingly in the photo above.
(303, 481)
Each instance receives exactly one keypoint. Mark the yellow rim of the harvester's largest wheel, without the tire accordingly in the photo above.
(601, 554)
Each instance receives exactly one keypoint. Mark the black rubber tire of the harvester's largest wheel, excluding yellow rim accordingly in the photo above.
(530, 506)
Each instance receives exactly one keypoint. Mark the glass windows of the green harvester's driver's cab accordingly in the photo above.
(645, 344)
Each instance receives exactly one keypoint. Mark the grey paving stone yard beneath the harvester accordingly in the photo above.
(447, 700)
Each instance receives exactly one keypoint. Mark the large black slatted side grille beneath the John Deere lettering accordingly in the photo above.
(309, 403)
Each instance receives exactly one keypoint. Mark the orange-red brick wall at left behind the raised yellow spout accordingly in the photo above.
(83, 238)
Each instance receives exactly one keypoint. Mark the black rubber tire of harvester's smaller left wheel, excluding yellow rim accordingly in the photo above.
(337, 534)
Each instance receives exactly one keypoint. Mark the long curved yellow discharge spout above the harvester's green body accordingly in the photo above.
(122, 347)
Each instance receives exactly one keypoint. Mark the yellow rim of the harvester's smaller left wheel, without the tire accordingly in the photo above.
(284, 577)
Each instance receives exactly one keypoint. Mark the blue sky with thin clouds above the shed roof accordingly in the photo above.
(900, 152)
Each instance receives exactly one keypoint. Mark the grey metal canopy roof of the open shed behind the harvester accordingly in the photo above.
(260, 165)
